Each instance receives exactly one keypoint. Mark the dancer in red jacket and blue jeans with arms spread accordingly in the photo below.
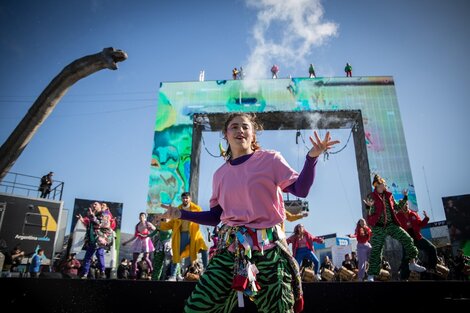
(302, 247)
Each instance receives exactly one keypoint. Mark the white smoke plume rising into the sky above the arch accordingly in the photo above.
(285, 33)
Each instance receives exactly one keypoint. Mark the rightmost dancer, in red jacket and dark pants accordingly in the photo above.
(412, 223)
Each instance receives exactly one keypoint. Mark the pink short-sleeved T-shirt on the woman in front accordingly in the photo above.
(251, 193)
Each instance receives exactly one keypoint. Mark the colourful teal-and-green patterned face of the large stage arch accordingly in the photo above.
(179, 101)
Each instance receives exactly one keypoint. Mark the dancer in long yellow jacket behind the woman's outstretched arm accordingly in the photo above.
(187, 239)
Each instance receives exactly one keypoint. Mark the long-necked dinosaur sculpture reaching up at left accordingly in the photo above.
(48, 99)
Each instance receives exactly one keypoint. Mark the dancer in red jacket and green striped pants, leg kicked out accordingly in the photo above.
(381, 207)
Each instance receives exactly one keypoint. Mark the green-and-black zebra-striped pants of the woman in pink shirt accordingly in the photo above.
(213, 292)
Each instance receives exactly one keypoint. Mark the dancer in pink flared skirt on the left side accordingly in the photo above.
(142, 243)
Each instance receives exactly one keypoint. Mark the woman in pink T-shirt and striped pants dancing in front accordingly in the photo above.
(252, 257)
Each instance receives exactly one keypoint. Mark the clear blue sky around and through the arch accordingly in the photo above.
(98, 140)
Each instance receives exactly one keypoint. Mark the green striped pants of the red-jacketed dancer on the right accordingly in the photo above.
(378, 240)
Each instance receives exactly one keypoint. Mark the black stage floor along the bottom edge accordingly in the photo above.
(53, 295)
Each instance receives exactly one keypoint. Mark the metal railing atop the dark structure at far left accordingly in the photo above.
(27, 185)
